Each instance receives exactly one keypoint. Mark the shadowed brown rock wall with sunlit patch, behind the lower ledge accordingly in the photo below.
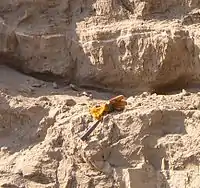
(128, 45)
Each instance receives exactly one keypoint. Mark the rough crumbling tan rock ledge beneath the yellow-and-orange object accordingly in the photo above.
(153, 143)
